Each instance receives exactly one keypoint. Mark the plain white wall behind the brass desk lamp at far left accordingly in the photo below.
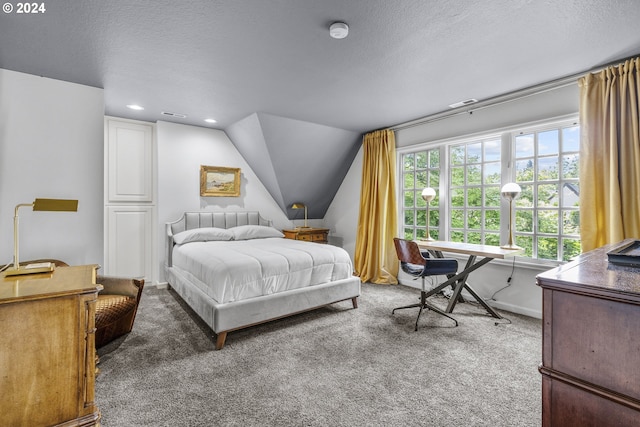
(51, 146)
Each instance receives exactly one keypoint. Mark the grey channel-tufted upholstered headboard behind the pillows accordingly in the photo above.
(191, 220)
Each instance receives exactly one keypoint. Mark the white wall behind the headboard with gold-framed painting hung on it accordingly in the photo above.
(181, 151)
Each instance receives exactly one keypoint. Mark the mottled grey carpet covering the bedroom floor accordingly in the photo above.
(330, 367)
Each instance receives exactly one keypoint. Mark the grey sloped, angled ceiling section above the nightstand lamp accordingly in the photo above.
(296, 161)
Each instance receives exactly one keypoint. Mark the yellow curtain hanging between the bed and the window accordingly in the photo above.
(375, 257)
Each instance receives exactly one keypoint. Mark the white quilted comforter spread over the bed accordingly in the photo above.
(235, 270)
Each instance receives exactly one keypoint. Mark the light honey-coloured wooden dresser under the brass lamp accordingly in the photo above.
(47, 351)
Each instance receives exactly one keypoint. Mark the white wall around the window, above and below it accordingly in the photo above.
(523, 296)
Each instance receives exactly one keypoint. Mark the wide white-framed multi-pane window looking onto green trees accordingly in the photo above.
(468, 175)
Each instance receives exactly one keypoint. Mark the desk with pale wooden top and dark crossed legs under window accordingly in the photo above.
(459, 281)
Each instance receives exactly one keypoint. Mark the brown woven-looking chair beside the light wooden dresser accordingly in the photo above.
(116, 307)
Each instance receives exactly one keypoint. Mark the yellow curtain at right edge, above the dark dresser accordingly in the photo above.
(610, 155)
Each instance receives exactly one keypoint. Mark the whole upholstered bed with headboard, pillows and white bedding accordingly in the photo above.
(235, 270)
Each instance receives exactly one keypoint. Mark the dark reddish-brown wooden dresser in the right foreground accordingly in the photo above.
(590, 343)
